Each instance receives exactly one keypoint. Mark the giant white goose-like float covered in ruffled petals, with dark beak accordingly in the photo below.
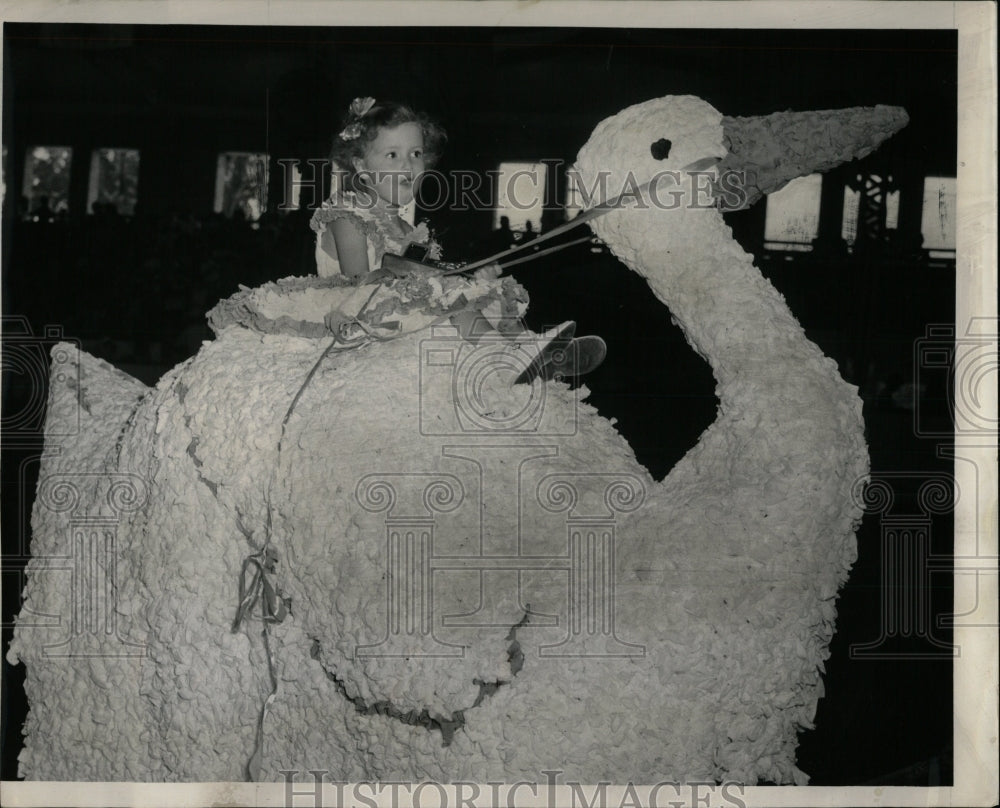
(380, 560)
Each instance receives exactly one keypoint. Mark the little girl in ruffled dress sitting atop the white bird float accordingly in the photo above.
(382, 152)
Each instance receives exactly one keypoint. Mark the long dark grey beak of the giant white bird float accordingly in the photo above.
(767, 152)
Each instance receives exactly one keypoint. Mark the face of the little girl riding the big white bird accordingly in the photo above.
(394, 163)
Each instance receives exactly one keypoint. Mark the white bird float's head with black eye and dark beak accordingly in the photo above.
(672, 139)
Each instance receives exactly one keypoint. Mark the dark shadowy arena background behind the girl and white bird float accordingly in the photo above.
(134, 291)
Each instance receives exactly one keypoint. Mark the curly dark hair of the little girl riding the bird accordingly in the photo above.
(381, 115)
